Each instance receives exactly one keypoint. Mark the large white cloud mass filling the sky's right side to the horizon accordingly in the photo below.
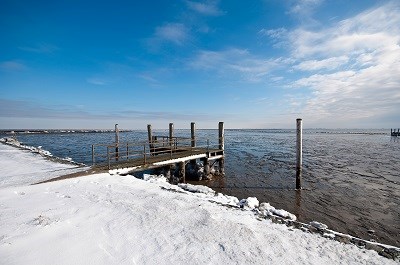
(354, 67)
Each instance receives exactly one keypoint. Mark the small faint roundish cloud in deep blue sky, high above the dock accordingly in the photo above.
(176, 33)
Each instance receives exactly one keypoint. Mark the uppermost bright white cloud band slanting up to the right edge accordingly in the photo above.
(368, 31)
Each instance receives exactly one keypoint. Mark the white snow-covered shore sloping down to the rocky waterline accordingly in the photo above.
(111, 219)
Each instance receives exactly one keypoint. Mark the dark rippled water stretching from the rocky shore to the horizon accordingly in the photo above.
(351, 181)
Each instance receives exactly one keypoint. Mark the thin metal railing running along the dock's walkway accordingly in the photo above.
(160, 145)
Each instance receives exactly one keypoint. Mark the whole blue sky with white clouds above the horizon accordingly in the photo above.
(253, 64)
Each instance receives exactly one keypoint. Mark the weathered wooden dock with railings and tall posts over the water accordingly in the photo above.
(161, 152)
